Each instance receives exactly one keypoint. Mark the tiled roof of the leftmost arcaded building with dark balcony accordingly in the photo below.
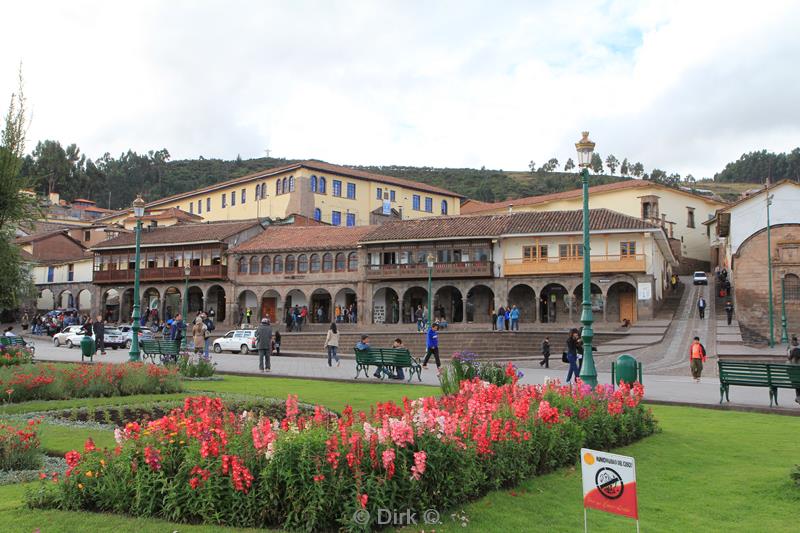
(181, 233)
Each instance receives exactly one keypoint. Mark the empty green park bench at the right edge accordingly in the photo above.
(773, 376)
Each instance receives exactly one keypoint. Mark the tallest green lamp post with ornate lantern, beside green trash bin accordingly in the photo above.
(585, 149)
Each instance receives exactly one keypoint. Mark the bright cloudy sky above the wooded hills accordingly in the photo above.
(684, 86)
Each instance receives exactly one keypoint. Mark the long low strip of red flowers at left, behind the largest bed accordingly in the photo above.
(52, 382)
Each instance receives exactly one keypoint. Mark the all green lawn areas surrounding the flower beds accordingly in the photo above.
(707, 471)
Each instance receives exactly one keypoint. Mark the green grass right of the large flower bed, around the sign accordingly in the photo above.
(707, 471)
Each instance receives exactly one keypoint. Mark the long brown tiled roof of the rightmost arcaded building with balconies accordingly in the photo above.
(488, 226)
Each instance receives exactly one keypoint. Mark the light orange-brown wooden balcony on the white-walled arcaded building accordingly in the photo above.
(574, 265)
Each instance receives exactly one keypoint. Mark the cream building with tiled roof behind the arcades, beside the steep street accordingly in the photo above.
(681, 213)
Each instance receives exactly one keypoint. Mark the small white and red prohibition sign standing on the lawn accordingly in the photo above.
(609, 483)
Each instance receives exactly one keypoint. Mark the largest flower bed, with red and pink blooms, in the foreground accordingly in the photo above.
(204, 464)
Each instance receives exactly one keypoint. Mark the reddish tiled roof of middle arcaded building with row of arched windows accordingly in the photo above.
(291, 238)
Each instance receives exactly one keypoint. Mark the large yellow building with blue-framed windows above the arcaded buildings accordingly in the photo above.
(337, 195)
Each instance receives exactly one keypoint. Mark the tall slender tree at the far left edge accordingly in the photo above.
(16, 205)
